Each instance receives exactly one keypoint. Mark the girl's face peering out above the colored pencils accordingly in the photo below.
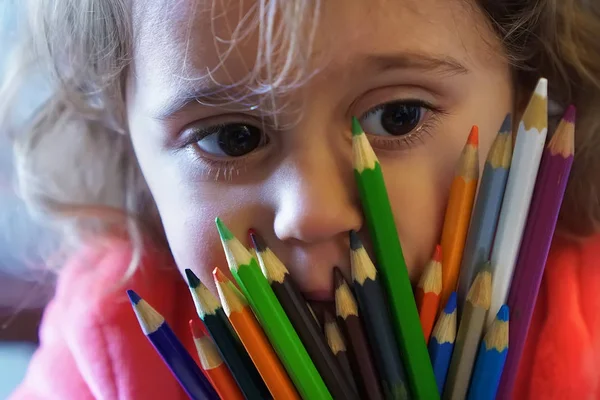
(417, 73)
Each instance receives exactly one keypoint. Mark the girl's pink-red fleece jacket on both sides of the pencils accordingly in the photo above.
(91, 346)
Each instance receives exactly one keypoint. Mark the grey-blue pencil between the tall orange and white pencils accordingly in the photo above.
(486, 209)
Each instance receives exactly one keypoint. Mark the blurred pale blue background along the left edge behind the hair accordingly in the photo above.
(24, 286)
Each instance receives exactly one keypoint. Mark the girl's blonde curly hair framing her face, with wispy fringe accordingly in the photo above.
(85, 47)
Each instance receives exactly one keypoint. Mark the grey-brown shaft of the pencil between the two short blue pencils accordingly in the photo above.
(465, 351)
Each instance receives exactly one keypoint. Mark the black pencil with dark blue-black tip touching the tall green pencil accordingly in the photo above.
(374, 310)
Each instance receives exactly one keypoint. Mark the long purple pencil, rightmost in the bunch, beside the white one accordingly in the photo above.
(537, 238)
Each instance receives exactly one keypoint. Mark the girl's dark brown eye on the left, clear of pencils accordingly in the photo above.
(231, 140)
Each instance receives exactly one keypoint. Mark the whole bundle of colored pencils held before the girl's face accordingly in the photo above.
(260, 339)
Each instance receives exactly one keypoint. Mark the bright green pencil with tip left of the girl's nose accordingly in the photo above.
(272, 317)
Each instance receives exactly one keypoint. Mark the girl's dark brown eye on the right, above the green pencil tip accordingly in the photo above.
(398, 118)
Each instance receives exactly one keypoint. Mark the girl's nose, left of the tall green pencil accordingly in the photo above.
(319, 202)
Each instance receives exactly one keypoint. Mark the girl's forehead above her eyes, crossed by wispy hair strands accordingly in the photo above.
(182, 46)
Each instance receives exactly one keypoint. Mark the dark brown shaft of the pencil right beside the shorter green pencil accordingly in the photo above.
(307, 329)
